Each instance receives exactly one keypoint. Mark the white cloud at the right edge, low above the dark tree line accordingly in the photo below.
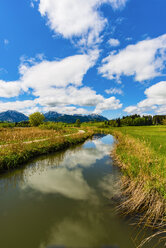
(155, 101)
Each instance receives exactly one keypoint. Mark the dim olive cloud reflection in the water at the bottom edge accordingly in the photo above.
(84, 231)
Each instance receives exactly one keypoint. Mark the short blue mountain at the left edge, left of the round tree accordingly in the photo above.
(12, 116)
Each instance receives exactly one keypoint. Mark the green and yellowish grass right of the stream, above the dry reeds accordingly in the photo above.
(143, 151)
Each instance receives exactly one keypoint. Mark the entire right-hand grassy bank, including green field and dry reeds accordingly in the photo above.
(140, 152)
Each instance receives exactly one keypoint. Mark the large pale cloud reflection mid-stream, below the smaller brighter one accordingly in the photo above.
(69, 183)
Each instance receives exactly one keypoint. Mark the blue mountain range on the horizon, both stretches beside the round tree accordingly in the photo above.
(15, 116)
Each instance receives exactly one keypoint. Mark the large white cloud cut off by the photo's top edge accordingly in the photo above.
(77, 17)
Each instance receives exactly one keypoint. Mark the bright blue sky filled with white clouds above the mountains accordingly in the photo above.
(83, 56)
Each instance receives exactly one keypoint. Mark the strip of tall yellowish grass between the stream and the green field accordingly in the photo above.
(144, 182)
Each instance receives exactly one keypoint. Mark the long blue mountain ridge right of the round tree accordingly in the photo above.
(54, 116)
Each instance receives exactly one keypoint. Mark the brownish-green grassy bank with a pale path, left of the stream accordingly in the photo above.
(17, 151)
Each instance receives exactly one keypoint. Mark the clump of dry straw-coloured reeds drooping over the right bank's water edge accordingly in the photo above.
(138, 200)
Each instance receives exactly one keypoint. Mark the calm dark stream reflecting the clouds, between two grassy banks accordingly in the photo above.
(64, 199)
